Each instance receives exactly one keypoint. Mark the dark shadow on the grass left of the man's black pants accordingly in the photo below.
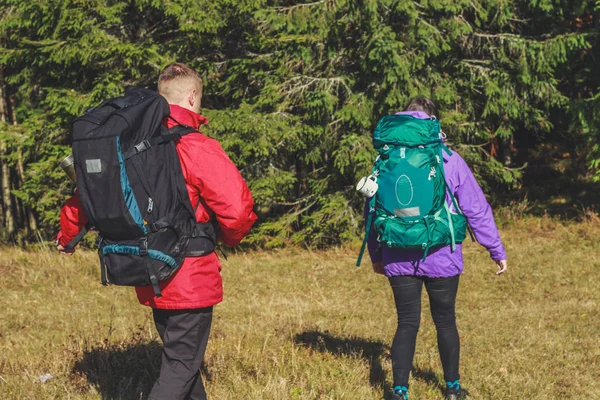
(122, 371)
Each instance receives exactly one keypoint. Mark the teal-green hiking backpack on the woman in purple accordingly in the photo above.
(409, 209)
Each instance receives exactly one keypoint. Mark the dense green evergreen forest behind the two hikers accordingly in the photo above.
(294, 89)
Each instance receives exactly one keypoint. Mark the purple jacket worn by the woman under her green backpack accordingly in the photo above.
(442, 261)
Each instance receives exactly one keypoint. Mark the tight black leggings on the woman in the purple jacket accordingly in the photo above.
(442, 297)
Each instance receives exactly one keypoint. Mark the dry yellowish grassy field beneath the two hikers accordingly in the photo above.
(298, 324)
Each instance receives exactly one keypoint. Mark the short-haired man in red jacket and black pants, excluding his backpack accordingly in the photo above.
(183, 314)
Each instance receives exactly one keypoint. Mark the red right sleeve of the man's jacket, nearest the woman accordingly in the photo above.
(221, 186)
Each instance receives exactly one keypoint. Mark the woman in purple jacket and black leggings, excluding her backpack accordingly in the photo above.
(440, 272)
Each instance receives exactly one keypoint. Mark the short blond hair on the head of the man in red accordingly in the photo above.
(176, 80)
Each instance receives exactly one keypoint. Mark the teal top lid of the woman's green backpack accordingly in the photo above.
(405, 130)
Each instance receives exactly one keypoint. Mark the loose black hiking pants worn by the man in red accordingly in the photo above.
(184, 334)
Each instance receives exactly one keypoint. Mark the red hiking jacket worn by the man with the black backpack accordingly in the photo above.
(213, 179)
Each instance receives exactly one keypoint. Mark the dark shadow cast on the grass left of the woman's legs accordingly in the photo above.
(370, 350)
